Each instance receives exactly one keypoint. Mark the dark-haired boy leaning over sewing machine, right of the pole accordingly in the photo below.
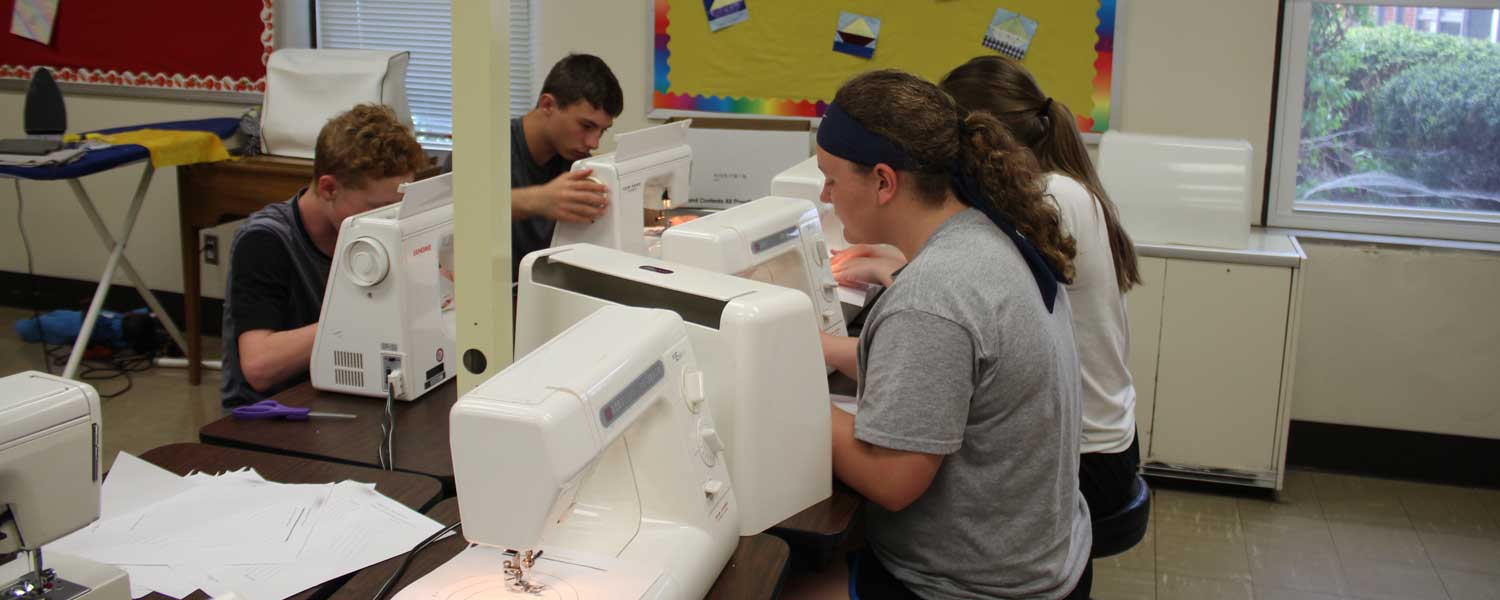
(580, 103)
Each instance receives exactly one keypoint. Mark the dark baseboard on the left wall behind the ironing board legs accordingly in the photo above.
(73, 295)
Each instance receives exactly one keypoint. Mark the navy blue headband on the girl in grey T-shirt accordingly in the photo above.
(847, 139)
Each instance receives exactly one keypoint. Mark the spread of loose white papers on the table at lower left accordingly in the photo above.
(238, 533)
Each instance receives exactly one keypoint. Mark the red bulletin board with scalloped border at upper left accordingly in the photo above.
(199, 46)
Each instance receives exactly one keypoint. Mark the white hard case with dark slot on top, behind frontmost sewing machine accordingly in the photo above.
(758, 349)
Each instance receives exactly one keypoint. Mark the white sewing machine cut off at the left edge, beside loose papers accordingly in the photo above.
(50, 478)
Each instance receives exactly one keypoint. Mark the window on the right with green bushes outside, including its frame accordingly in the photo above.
(1388, 119)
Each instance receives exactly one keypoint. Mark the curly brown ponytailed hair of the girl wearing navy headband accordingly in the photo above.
(925, 122)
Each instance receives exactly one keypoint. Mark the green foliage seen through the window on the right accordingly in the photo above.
(1396, 116)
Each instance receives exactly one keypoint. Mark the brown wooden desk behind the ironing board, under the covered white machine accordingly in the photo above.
(215, 193)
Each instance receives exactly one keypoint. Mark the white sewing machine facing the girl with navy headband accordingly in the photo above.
(776, 241)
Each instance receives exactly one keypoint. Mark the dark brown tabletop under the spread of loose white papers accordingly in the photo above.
(413, 491)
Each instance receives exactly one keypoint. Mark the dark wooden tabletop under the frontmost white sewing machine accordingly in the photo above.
(755, 571)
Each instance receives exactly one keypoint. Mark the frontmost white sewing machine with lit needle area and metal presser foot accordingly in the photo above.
(601, 449)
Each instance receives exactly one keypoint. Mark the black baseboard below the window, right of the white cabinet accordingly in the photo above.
(1436, 458)
